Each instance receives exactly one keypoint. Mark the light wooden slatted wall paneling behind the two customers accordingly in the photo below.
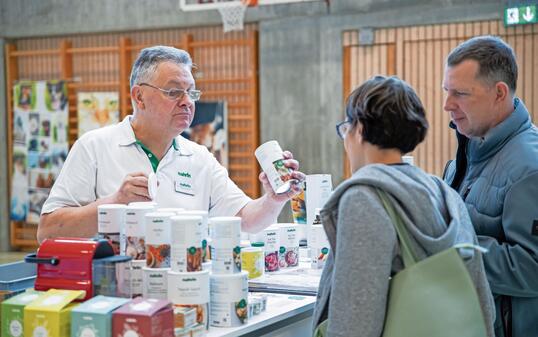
(420, 54)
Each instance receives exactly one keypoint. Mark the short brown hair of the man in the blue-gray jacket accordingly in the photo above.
(496, 59)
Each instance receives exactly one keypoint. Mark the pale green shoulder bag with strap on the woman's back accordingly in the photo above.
(435, 297)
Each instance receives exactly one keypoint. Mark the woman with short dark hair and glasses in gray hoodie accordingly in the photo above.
(385, 119)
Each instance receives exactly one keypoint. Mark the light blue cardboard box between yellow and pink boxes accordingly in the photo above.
(94, 317)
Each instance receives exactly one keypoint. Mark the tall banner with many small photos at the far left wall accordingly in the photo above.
(40, 144)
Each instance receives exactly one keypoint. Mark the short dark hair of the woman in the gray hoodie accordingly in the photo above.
(391, 113)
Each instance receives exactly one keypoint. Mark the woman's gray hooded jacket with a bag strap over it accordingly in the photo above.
(365, 250)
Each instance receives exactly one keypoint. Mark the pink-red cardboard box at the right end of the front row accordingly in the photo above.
(144, 317)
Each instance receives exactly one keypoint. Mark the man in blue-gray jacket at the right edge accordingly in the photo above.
(496, 173)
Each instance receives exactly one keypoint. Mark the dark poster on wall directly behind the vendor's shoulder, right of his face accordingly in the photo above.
(209, 127)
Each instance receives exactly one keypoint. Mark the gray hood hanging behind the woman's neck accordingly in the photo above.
(427, 205)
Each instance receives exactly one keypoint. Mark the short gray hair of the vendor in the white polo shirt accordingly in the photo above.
(149, 58)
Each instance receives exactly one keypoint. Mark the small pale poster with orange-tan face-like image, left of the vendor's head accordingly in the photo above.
(96, 110)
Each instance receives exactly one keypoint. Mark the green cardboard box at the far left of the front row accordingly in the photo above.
(13, 313)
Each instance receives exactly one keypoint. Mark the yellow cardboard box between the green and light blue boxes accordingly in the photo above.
(50, 314)
